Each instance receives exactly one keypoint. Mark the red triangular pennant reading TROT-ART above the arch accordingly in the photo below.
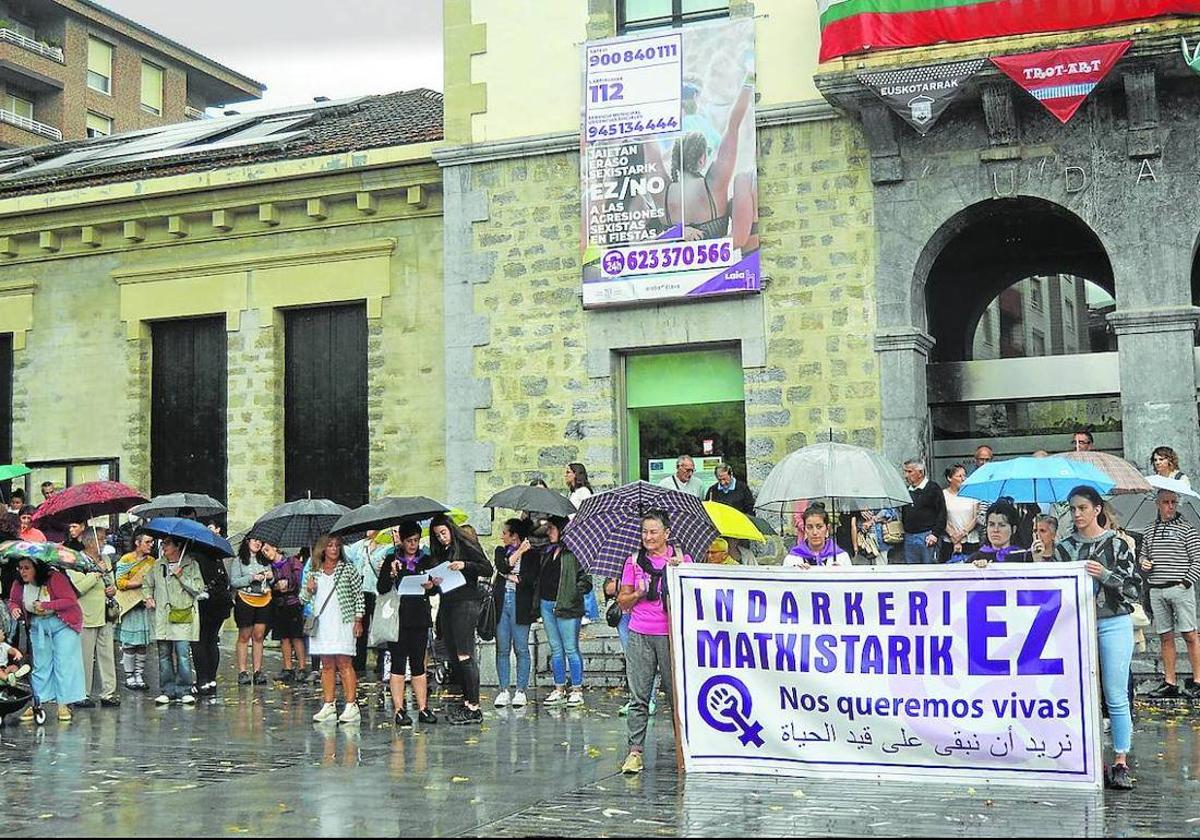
(1063, 79)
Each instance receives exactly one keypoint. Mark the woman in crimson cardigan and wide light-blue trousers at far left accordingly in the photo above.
(46, 598)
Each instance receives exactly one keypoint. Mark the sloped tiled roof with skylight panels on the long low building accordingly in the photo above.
(237, 140)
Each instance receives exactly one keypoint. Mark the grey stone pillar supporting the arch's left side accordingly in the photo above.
(904, 353)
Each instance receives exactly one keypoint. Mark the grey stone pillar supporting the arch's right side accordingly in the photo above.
(1159, 382)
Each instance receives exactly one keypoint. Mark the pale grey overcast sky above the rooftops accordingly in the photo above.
(304, 49)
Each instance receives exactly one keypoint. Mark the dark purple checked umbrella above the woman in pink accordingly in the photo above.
(609, 527)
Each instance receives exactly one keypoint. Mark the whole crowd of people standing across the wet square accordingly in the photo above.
(319, 603)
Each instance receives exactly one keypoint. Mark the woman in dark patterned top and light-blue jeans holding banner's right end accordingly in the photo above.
(1112, 562)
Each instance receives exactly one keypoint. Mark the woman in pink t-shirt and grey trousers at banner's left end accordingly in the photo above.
(643, 595)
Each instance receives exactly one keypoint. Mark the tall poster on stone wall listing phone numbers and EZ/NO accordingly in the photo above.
(669, 158)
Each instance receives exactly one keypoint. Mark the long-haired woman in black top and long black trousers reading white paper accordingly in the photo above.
(460, 610)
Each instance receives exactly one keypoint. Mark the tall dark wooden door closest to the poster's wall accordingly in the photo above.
(326, 433)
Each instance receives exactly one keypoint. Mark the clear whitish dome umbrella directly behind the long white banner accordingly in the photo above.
(851, 478)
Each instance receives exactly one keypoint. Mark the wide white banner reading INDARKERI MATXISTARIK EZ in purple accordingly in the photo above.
(949, 675)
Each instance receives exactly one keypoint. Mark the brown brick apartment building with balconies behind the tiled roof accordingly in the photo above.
(71, 69)
